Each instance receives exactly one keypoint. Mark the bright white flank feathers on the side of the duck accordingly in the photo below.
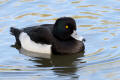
(30, 45)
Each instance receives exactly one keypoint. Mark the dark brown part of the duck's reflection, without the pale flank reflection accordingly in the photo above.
(62, 65)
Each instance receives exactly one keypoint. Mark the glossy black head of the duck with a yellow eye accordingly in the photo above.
(64, 27)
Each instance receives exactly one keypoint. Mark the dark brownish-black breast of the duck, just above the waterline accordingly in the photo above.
(68, 47)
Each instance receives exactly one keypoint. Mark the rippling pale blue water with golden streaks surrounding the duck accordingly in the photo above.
(97, 21)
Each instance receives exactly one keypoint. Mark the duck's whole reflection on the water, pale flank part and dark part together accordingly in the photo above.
(60, 64)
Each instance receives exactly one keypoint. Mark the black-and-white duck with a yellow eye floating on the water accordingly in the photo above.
(57, 38)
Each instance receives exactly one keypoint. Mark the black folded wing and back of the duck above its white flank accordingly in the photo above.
(40, 34)
